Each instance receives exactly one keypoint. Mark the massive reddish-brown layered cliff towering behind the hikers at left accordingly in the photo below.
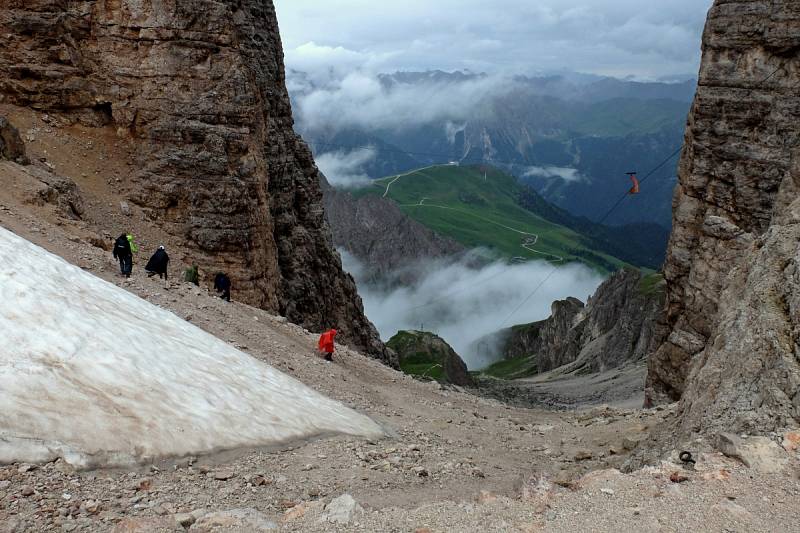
(198, 85)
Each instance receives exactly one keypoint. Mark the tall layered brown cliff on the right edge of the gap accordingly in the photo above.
(732, 328)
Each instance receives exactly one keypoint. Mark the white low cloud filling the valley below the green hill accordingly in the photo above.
(463, 303)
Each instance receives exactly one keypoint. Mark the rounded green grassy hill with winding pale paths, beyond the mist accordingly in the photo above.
(478, 206)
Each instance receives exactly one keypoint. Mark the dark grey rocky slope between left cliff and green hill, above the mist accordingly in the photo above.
(387, 241)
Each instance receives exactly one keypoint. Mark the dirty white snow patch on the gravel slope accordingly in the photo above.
(102, 378)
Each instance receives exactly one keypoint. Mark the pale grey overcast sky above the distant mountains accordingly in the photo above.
(642, 38)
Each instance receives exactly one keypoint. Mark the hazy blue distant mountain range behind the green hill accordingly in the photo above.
(592, 127)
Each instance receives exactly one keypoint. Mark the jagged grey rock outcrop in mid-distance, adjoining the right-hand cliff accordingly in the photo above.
(617, 326)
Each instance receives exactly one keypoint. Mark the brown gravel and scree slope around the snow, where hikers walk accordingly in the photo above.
(456, 461)
